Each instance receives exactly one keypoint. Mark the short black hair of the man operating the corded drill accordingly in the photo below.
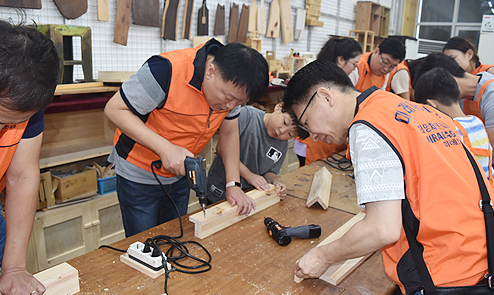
(245, 67)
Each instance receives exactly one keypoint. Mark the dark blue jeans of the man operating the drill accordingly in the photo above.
(144, 206)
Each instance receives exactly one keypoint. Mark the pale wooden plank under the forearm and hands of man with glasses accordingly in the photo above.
(337, 272)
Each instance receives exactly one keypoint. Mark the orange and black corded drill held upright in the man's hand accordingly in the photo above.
(195, 170)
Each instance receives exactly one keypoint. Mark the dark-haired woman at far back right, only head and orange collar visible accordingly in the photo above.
(465, 53)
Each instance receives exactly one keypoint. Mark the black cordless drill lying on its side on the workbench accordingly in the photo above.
(283, 235)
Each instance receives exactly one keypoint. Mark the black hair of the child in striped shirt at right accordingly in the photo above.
(437, 84)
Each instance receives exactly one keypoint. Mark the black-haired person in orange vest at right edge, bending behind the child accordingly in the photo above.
(477, 91)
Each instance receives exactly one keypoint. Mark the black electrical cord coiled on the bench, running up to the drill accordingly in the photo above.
(175, 245)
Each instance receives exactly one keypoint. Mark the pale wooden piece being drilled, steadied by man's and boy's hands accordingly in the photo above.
(223, 215)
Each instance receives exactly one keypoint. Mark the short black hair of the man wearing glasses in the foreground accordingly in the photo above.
(318, 72)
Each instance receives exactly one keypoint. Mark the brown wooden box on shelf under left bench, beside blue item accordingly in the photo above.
(79, 185)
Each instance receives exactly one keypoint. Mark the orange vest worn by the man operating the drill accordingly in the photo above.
(185, 120)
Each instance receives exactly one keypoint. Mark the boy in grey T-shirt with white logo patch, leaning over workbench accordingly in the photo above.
(263, 147)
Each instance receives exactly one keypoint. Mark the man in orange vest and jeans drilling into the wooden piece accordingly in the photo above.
(169, 110)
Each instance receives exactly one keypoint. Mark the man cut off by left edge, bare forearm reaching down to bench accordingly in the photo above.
(29, 67)
